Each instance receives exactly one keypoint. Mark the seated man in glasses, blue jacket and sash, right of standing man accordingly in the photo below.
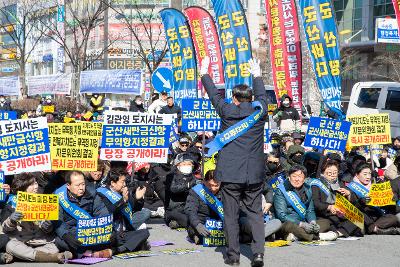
(294, 207)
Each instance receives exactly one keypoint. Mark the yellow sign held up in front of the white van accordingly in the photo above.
(369, 129)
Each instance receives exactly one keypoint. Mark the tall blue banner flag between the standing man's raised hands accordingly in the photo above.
(235, 43)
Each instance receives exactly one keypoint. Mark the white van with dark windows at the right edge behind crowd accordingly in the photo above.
(377, 97)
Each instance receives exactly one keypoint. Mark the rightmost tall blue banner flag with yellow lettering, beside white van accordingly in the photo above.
(323, 44)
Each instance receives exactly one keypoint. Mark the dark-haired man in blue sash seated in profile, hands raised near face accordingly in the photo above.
(115, 199)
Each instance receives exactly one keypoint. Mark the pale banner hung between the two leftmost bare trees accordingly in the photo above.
(56, 84)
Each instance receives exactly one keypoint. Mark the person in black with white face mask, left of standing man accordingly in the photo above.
(178, 184)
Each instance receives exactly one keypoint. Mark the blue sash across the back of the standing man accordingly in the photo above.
(236, 130)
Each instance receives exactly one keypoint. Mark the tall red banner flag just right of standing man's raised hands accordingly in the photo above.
(285, 47)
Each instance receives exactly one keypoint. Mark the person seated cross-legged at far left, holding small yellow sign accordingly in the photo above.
(30, 241)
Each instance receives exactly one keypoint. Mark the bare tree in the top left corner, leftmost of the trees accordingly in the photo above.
(19, 22)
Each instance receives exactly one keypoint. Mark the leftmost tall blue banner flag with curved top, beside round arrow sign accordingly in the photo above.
(182, 53)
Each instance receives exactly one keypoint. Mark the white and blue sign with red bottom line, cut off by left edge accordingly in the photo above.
(24, 146)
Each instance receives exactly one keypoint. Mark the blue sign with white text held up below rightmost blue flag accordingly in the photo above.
(324, 133)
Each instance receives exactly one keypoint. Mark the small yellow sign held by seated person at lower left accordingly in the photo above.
(37, 207)
